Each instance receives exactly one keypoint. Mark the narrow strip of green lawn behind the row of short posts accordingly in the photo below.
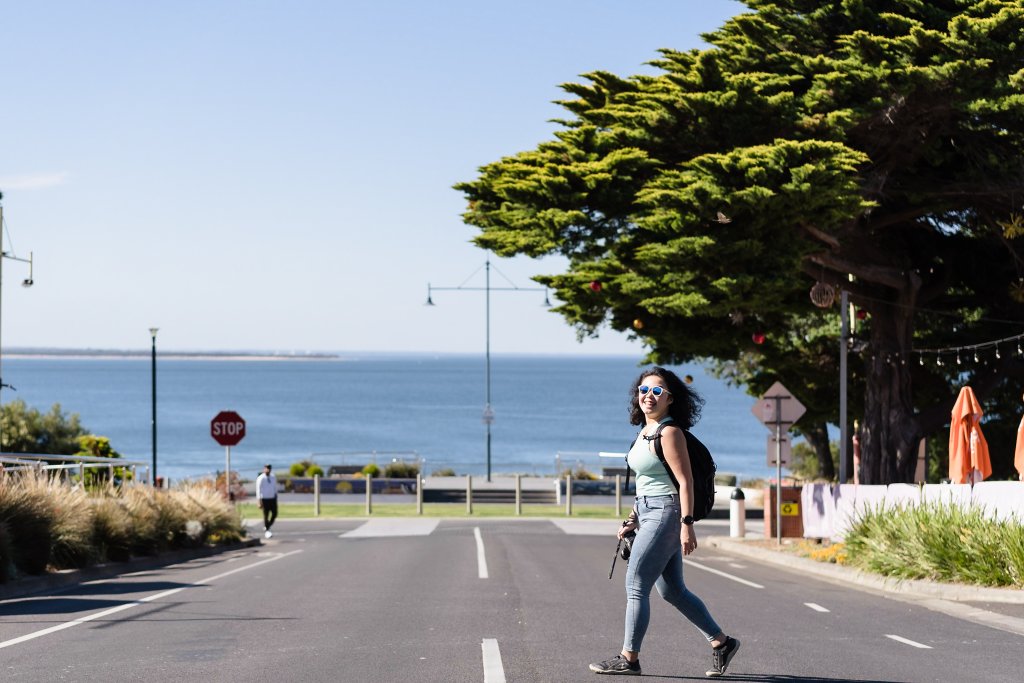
(340, 510)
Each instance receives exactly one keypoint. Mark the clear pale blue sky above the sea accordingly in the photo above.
(278, 176)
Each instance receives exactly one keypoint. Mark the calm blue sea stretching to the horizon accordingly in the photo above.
(549, 411)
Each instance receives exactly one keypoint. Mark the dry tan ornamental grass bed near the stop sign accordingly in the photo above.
(46, 524)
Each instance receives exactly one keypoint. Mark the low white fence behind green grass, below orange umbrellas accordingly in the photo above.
(829, 511)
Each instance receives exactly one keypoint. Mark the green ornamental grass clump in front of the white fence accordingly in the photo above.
(940, 542)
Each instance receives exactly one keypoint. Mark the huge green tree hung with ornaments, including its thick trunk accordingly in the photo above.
(874, 146)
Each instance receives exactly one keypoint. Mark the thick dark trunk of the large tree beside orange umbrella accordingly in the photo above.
(890, 432)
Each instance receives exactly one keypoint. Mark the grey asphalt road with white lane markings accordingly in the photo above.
(486, 601)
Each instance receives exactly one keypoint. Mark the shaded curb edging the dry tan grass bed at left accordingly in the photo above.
(57, 580)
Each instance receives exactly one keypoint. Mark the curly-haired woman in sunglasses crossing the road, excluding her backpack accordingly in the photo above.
(664, 523)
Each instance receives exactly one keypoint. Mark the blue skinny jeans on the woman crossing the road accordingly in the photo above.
(657, 561)
